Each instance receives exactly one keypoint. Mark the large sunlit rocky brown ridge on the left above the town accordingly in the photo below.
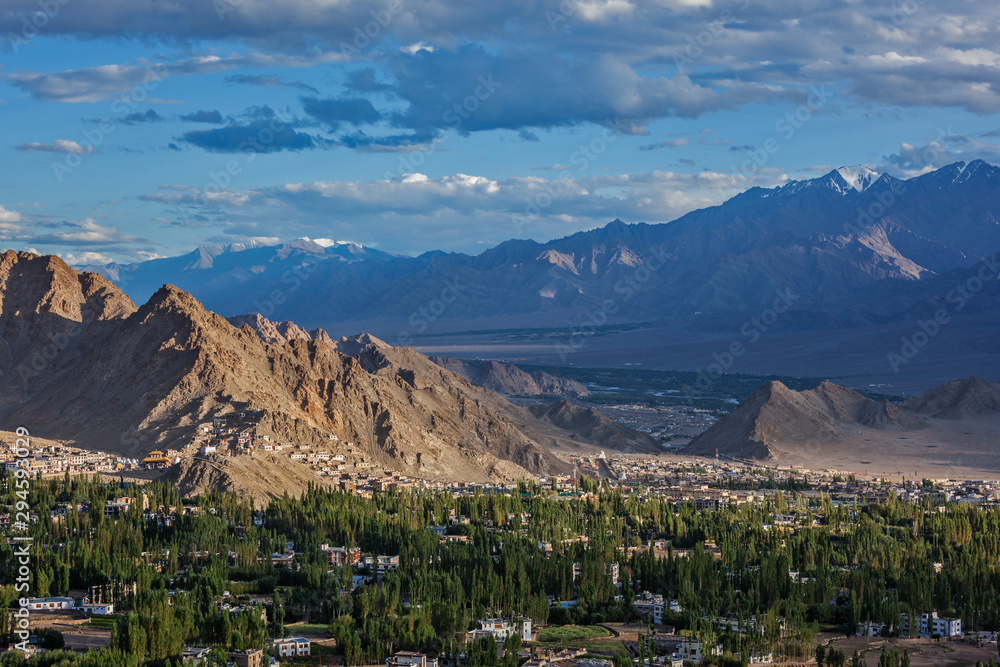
(132, 380)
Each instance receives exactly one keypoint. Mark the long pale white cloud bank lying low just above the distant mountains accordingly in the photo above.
(418, 212)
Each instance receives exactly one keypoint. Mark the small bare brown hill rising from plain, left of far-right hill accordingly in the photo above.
(777, 421)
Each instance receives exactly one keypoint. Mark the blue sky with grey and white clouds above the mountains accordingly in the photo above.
(143, 128)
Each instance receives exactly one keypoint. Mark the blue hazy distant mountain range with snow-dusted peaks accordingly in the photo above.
(853, 247)
